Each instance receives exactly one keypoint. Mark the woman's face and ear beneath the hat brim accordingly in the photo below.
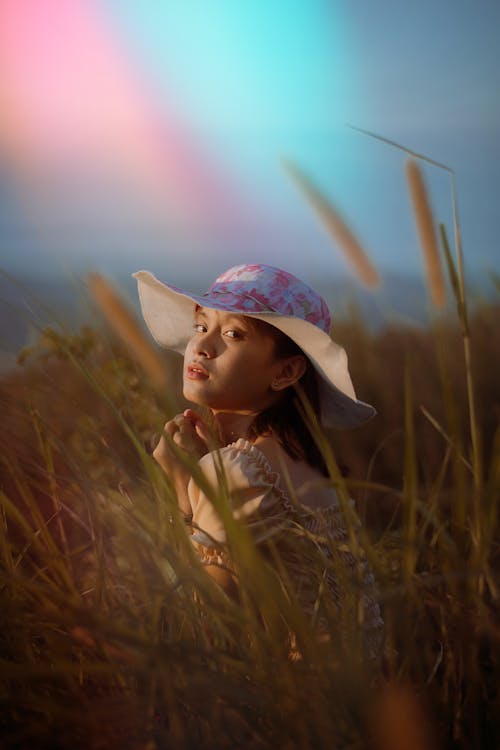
(229, 363)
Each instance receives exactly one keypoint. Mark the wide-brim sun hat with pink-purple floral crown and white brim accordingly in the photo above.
(275, 297)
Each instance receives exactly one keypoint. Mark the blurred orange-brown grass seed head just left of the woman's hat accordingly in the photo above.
(125, 325)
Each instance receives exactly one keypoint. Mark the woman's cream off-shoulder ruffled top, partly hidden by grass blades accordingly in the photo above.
(272, 516)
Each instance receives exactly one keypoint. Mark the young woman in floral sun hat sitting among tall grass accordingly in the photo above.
(251, 344)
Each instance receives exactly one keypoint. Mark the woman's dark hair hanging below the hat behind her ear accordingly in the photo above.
(285, 418)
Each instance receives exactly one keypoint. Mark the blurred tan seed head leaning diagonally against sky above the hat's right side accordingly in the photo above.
(335, 226)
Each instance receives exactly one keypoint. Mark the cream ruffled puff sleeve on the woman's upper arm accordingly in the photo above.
(241, 476)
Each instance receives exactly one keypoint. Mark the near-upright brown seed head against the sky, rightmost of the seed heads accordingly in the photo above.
(426, 232)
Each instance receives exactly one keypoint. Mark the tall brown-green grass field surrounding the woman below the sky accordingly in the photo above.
(111, 634)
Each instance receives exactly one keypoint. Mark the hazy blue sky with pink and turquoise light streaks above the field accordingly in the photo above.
(149, 134)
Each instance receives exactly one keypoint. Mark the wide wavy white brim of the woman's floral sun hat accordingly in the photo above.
(168, 312)
